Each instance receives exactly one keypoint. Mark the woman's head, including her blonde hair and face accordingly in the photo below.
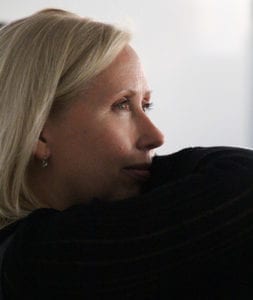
(65, 53)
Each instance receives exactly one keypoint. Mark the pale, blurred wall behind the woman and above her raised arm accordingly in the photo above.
(197, 55)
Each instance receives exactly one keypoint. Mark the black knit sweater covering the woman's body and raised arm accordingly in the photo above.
(188, 236)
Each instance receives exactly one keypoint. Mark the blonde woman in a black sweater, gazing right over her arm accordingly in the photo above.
(86, 211)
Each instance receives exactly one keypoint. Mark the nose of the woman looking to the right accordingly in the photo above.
(150, 136)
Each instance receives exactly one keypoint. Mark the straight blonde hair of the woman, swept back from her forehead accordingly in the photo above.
(46, 59)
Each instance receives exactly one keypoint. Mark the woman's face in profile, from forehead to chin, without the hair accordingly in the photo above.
(102, 146)
